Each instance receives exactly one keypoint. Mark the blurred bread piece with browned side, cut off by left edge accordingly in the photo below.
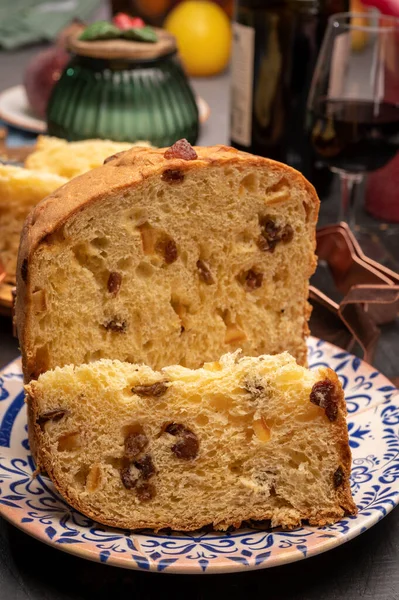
(20, 190)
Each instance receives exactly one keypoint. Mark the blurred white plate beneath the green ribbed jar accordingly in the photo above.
(15, 110)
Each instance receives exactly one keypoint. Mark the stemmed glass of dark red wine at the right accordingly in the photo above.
(353, 104)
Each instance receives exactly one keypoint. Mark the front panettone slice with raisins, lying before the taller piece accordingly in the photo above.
(239, 439)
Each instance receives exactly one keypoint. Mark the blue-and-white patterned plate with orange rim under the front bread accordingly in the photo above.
(34, 506)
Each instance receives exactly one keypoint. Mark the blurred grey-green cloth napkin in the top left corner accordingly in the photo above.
(25, 22)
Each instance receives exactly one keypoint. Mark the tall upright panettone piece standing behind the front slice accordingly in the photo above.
(159, 259)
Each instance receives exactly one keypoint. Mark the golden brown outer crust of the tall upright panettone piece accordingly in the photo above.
(125, 170)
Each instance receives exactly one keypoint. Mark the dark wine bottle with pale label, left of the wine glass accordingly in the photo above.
(275, 48)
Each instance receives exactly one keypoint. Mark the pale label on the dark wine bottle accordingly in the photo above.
(242, 71)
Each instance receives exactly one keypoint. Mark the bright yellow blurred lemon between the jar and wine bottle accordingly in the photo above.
(203, 34)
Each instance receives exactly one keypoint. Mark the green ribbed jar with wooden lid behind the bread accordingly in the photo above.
(124, 91)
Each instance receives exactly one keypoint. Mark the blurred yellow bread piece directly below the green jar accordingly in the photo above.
(69, 159)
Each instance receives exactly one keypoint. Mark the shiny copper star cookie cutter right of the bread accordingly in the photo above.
(370, 290)
